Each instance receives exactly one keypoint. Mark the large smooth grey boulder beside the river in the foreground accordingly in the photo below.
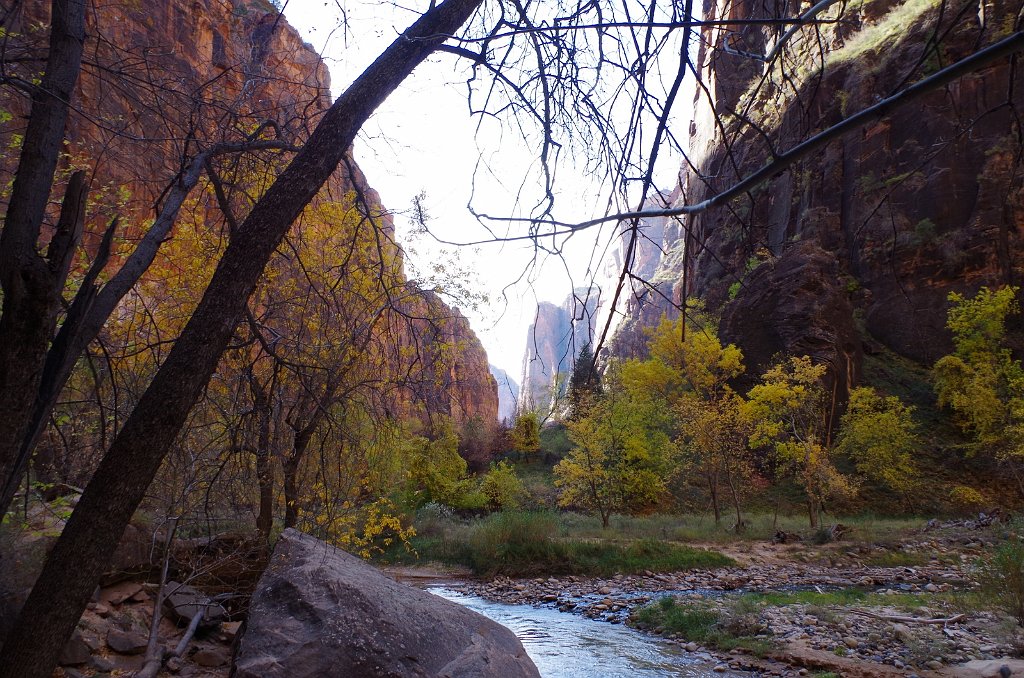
(321, 612)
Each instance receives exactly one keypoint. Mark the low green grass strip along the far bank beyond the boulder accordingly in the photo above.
(523, 543)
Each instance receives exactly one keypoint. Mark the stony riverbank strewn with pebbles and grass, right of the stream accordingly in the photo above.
(903, 608)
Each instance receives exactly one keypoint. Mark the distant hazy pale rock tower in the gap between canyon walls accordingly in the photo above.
(553, 342)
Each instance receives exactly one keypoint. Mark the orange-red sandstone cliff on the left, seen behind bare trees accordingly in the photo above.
(163, 81)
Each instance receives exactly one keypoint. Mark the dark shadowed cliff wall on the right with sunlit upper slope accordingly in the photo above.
(869, 237)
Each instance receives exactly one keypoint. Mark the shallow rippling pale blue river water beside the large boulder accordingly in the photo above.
(566, 646)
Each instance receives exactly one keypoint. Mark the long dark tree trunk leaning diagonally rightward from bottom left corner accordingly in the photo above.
(119, 485)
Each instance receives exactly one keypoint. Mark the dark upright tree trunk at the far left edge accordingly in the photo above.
(32, 286)
